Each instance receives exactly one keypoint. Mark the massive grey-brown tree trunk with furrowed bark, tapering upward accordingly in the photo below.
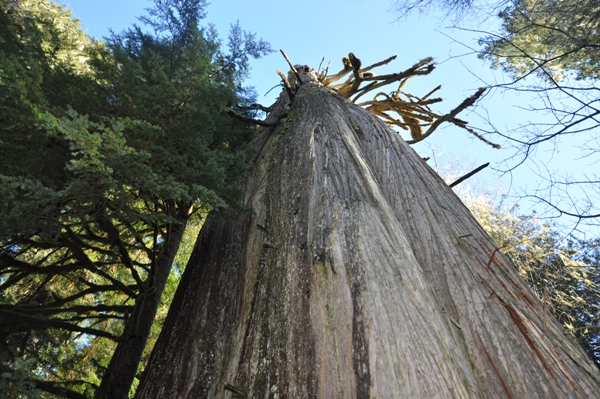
(353, 271)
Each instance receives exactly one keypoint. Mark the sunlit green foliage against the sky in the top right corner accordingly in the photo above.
(551, 38)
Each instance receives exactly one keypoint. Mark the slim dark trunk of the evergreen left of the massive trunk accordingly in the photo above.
(124, 363)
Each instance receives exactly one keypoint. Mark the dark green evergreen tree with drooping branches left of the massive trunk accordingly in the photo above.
(107, 149)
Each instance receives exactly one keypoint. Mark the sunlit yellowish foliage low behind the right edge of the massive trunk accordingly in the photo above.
(565, 275)
